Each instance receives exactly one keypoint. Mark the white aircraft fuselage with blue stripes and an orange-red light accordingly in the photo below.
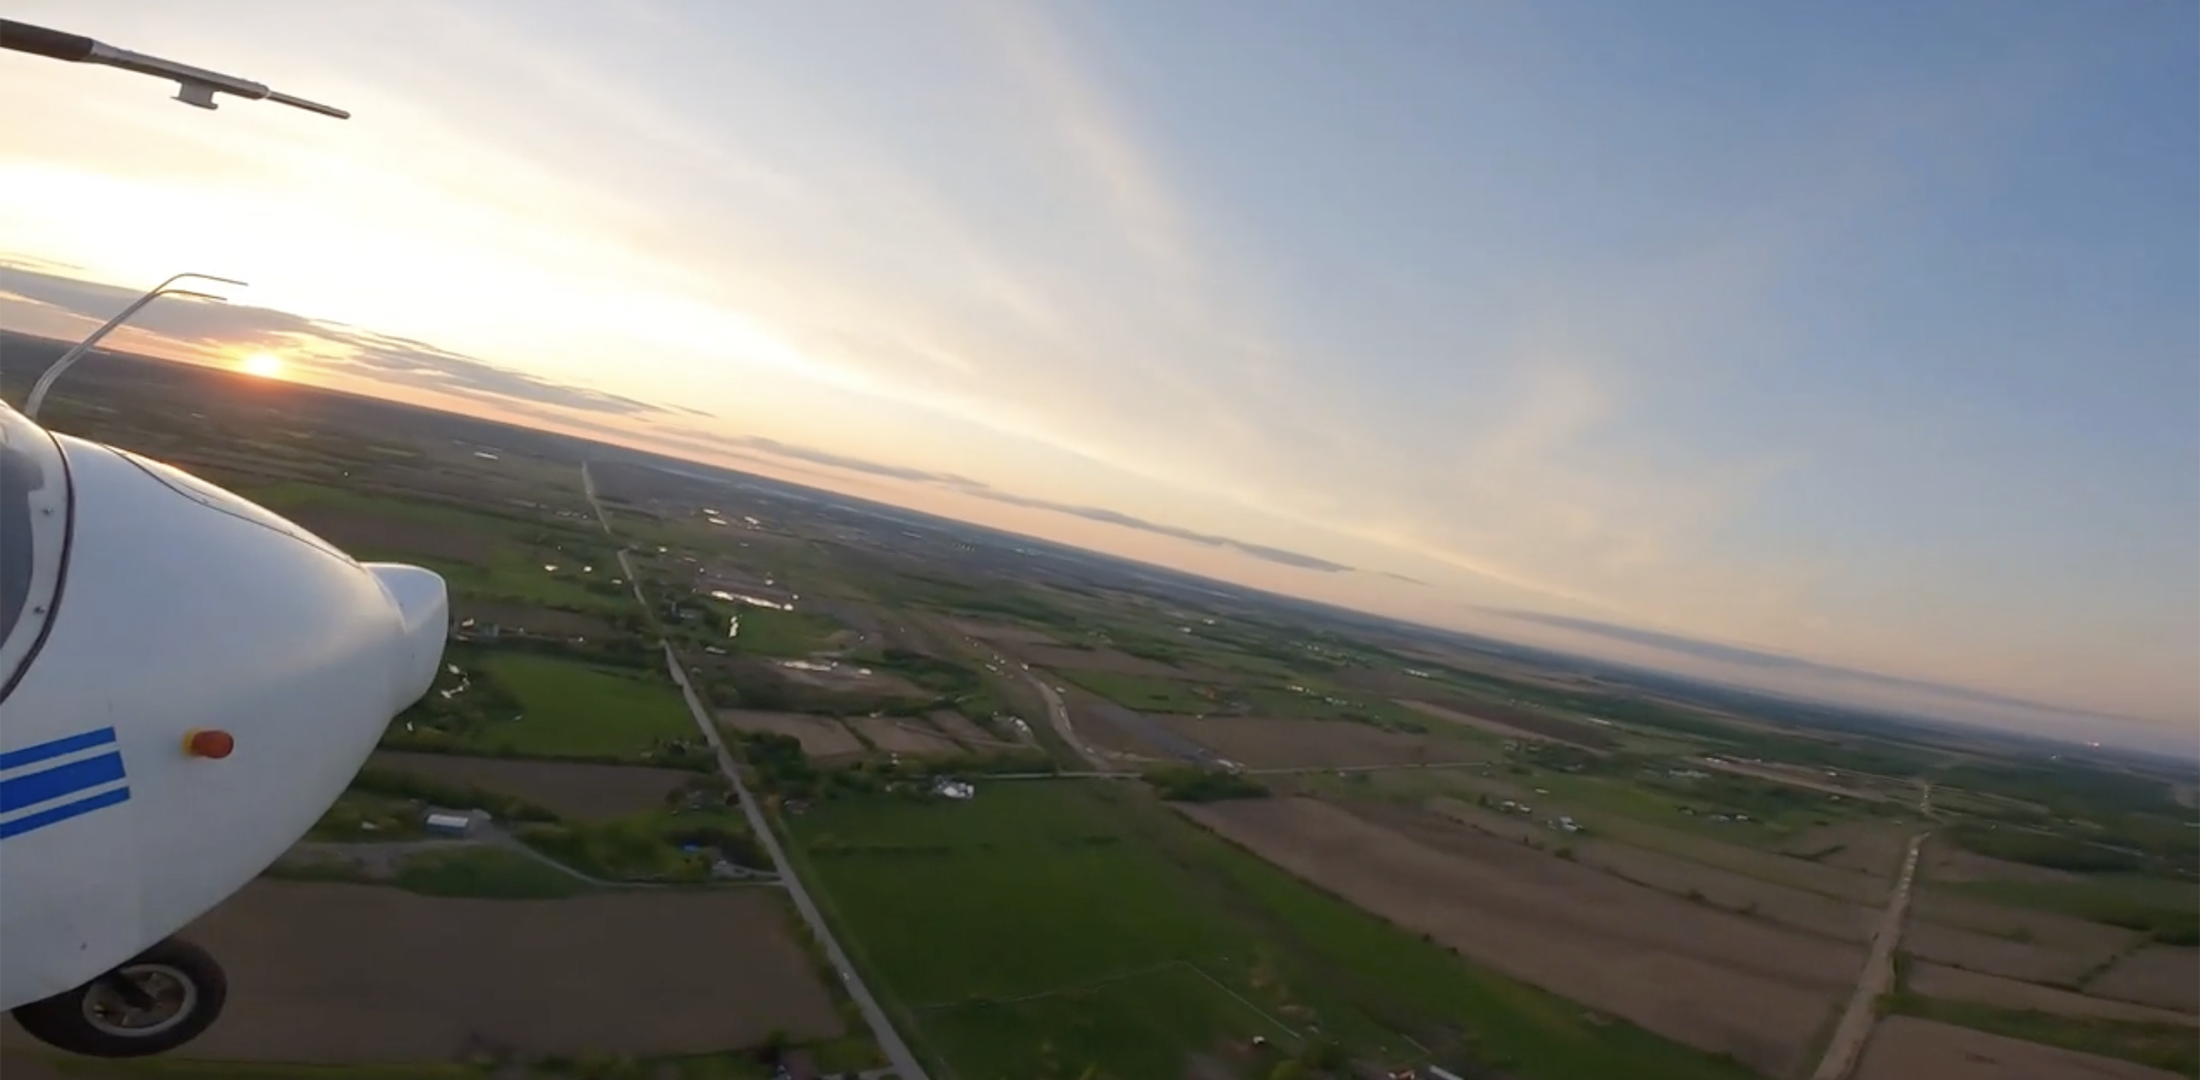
(157, 606)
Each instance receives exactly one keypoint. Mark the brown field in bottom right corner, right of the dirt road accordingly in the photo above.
(1906, 1048)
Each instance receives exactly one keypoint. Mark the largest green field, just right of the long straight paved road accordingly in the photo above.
(1053, 927)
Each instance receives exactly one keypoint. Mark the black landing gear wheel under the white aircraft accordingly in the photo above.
(153, 1004)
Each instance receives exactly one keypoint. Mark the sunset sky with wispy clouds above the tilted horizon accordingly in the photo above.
(1842, 349)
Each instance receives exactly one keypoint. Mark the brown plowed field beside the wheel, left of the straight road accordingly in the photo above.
(349, 973)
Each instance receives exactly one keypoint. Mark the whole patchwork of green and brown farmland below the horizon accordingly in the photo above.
(1389, 846)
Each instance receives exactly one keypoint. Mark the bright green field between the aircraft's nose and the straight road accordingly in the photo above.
(571, 709)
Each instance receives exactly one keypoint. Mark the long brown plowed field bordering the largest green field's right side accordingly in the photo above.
(1691, 973)
